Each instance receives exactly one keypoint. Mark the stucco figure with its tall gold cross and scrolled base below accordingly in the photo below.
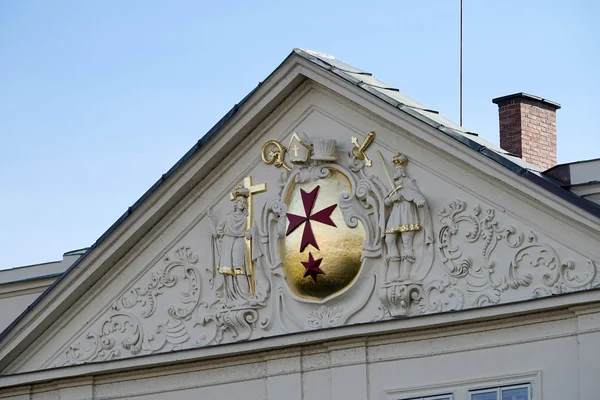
(238, 245)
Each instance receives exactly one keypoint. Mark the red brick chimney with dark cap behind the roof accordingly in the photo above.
(528, 128)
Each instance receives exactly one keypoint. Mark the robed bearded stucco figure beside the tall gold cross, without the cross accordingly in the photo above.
(231, 256)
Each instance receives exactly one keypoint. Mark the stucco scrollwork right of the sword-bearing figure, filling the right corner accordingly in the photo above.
(487, 274)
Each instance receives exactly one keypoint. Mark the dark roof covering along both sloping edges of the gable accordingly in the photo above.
(386, 93)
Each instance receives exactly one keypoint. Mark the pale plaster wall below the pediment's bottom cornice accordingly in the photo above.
(556, 352)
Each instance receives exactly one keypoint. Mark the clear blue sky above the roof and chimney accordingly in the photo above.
(98, 99)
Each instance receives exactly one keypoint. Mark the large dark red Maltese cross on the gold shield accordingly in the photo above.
(323, 216)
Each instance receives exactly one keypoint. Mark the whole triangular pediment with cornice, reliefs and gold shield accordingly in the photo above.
(313, 206)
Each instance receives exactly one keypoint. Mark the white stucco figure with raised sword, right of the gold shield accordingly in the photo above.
(409, 215)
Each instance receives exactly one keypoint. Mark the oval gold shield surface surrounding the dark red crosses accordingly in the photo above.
(340, 247)
